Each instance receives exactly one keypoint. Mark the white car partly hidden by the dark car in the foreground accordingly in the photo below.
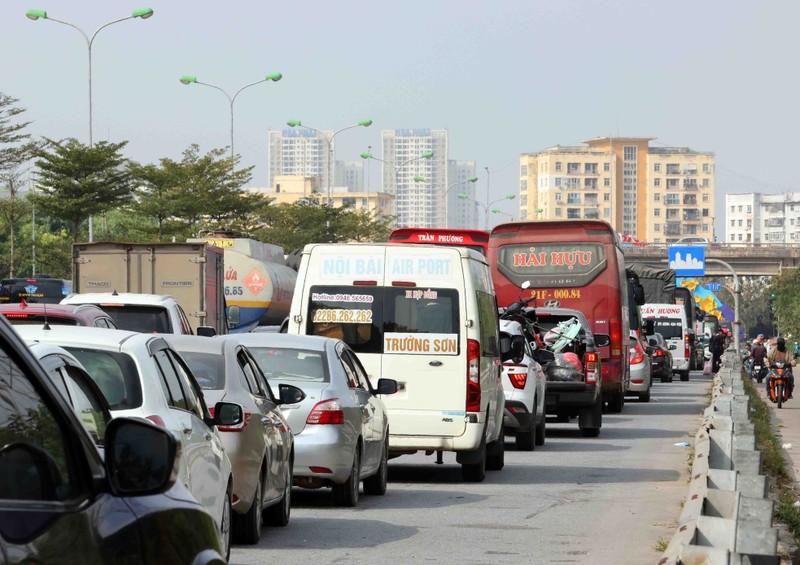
(140, 375)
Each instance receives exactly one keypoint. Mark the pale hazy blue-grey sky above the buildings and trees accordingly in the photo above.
(503, 77)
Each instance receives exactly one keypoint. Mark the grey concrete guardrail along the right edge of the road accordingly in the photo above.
(727, 517)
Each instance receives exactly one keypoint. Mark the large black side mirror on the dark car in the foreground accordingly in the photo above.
(140, 457)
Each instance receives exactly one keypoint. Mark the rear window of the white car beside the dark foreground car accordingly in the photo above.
(116, 376)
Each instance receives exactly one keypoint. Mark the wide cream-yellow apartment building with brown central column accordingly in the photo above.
(655, 194)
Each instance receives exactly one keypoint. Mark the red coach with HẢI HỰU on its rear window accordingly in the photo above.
(571, 264)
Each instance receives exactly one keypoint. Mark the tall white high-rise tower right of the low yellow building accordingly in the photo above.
(418, 184)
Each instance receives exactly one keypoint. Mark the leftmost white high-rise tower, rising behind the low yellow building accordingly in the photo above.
(299, 152)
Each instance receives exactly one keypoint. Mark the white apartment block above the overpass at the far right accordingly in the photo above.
(762, 218)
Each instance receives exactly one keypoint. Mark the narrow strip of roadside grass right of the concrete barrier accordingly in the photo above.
(773, 462)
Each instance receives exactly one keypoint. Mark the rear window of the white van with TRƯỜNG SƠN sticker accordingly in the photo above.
(377, 319)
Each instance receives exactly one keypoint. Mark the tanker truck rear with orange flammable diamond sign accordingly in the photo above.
(258, 283)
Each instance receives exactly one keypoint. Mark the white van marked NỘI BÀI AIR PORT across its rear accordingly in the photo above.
(425, 316)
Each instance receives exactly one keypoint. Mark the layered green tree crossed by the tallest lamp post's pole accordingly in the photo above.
(78, 181)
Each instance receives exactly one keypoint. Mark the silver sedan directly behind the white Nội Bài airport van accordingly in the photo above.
(340, 428)
